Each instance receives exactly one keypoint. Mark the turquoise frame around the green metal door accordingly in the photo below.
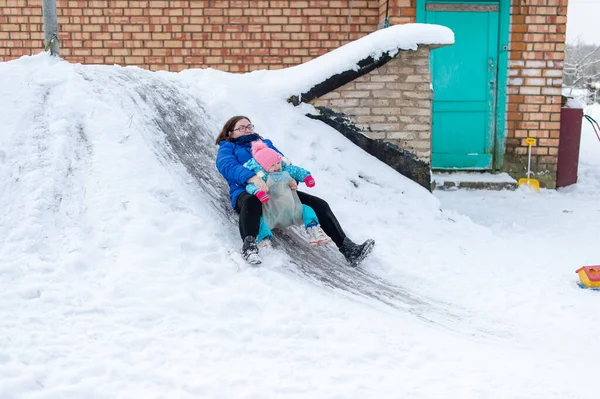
(498, 141)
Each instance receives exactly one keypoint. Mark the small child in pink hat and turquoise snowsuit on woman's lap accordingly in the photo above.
(285, 209)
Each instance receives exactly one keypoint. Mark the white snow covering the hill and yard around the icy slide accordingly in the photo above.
(119, 280)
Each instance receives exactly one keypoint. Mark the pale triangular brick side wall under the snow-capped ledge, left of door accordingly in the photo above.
(392, 102)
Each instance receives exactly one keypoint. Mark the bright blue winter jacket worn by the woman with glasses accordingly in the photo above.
(231, 157)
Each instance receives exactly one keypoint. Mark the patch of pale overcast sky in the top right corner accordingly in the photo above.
(582, 21)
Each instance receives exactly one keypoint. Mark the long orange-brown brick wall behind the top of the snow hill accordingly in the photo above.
(234, 36)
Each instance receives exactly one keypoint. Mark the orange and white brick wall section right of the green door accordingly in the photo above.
(537, 44)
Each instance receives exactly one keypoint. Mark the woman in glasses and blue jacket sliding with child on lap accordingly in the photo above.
(235, 149)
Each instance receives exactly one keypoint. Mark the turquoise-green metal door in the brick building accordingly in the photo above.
(464, 85)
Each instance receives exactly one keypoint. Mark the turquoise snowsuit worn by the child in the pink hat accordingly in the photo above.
(307, 215)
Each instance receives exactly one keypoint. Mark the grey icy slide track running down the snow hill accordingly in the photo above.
(182, 132)
